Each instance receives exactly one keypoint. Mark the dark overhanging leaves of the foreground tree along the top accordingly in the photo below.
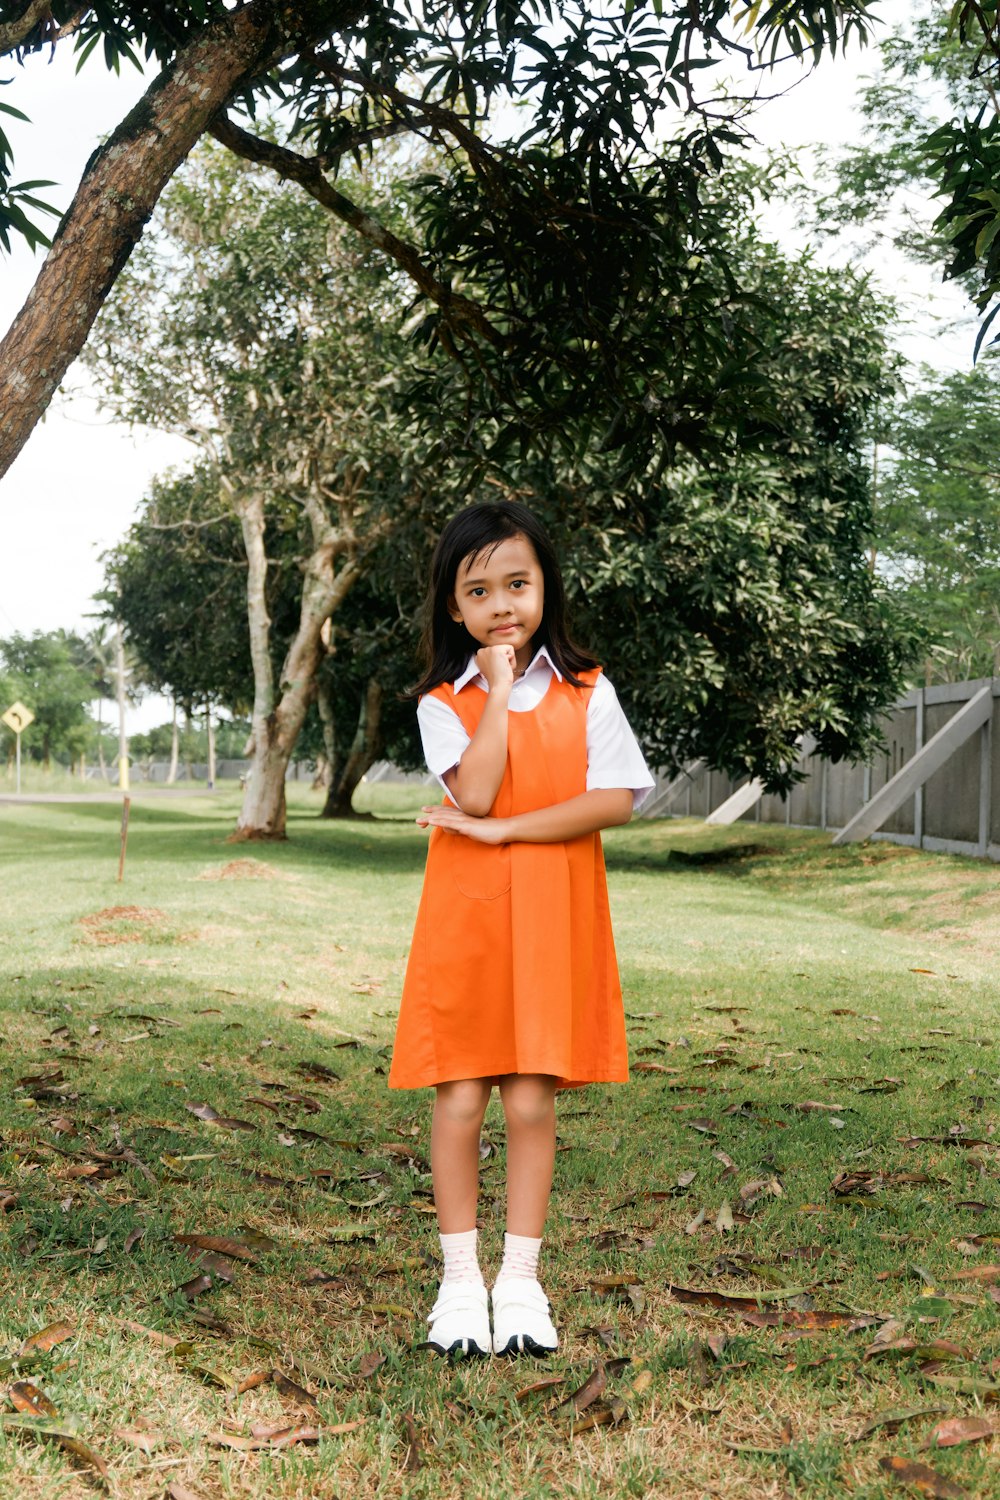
(563, 263)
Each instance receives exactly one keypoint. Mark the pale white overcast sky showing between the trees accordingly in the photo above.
(80, 479)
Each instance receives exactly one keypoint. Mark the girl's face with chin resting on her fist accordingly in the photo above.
(501, 599)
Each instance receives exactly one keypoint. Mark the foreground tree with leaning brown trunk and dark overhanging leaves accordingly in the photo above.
(572, 208)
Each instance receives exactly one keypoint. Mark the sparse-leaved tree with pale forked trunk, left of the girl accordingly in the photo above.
(257, 329)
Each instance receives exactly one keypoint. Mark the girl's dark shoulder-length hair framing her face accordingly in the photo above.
(475, 532)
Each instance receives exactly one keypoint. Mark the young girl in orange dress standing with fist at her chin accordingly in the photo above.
(512, 976)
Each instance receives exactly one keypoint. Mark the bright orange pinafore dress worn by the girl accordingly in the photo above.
(513, 965)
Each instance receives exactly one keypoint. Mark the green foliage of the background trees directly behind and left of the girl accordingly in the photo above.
(731, 596)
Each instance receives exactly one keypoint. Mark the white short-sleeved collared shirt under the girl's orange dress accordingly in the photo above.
(612, 752)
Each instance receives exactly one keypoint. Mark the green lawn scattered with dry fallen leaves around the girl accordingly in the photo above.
(764, 971)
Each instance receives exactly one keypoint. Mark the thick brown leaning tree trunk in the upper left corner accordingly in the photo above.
(115, 200)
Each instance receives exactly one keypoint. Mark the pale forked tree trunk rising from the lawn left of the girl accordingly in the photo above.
(277, 725)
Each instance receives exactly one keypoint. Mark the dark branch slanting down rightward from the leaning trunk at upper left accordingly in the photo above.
(292, 167)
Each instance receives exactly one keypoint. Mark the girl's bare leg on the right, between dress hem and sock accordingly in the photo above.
(530, 1108)
